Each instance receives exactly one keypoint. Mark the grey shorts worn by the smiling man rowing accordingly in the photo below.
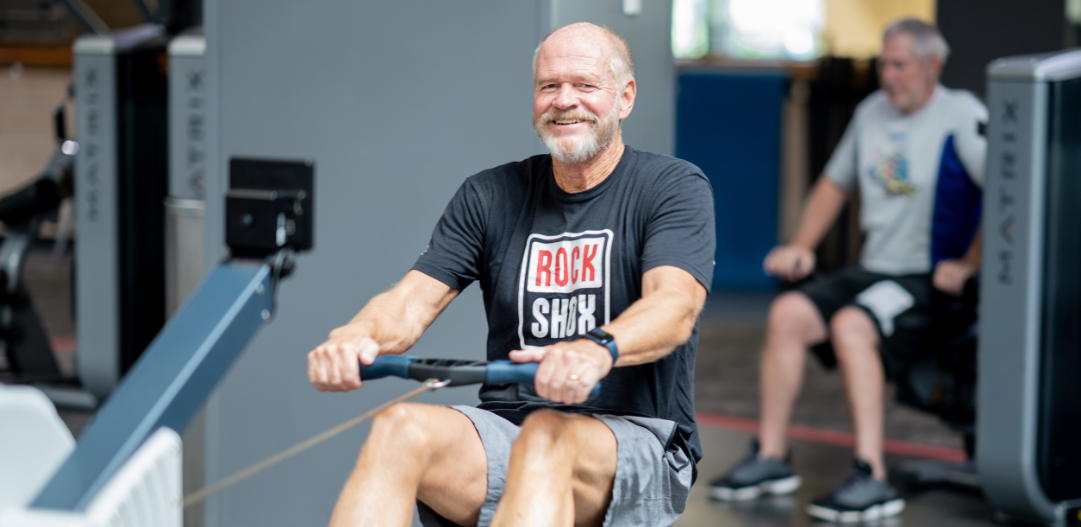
(651, 483)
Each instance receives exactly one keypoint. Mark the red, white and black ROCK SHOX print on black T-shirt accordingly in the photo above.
(565, 287)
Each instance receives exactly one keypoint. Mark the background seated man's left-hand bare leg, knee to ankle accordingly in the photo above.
(795, 325)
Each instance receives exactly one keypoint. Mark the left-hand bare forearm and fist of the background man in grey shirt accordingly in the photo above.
(796, 261)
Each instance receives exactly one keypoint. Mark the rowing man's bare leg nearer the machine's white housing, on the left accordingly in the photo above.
(416, 452)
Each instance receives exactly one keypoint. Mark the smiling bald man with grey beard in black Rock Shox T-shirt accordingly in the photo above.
(595, 262)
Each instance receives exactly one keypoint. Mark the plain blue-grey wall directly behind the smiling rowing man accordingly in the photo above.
(397, 103)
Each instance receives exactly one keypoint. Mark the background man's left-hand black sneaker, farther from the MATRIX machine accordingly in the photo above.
(755, 477)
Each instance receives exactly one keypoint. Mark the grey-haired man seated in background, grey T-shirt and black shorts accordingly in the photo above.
(915, 152)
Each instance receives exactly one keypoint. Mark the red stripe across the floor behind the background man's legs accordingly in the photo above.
(833, 438)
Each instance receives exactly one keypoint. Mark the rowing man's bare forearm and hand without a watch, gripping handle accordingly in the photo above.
(390, 325)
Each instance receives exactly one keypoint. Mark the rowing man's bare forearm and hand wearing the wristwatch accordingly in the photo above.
(649, 330)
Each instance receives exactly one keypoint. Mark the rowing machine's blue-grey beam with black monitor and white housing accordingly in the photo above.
(126, 468)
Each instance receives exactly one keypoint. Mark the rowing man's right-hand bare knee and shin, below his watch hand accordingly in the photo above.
(562, 471)
